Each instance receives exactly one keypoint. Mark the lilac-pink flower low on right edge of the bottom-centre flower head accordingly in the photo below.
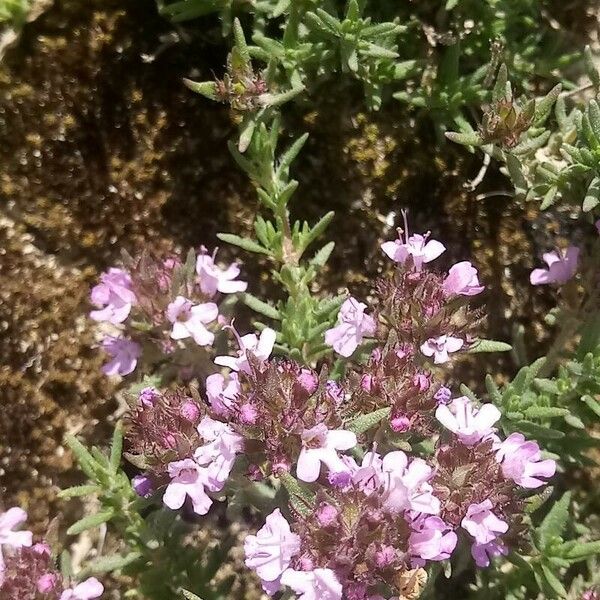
(431, 539)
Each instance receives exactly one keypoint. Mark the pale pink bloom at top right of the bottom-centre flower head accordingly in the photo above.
(406, 486)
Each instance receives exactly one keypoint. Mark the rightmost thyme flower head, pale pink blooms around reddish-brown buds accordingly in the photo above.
(479, 477)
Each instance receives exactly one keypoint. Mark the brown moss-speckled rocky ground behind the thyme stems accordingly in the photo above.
(103, 148)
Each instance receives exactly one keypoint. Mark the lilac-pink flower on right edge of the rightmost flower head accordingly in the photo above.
(522, 461)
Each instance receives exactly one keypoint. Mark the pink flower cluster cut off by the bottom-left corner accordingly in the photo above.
(27, 570)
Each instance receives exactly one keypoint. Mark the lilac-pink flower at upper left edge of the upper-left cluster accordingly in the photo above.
(113, 294)
